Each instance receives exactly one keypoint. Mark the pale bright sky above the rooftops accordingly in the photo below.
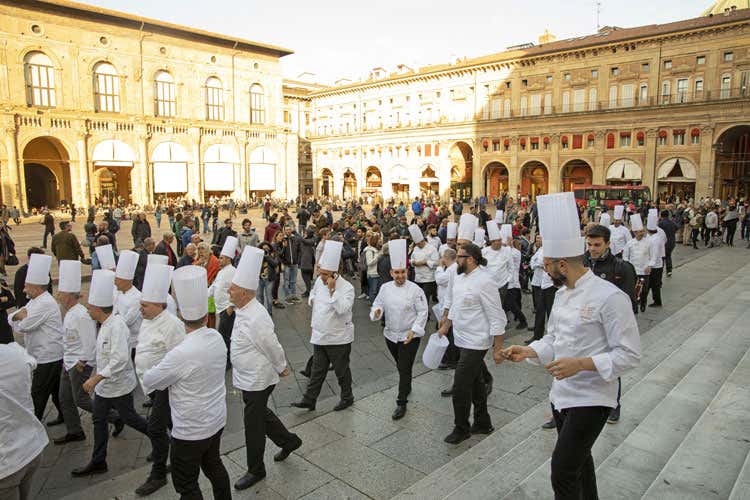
(346, 38)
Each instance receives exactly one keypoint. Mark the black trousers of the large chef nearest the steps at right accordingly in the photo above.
(573, 472)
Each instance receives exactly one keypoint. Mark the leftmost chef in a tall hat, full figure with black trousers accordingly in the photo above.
(40, 322)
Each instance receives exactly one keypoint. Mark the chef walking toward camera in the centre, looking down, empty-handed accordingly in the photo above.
(405, 307)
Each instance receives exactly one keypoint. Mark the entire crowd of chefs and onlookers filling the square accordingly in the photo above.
(172, 316)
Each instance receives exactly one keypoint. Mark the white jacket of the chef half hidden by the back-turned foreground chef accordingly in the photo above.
(157, 337)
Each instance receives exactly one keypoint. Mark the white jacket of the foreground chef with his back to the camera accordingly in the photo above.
(194, 373)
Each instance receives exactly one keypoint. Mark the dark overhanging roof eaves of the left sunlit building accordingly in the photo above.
(141, 23)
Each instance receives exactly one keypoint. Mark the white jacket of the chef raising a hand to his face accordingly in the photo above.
(332, 315)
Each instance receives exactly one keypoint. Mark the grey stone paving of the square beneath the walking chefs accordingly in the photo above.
(360, 452)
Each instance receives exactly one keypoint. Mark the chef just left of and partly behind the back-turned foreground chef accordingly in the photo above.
(160, 332)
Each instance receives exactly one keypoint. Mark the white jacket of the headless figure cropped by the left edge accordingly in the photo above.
(22, 435)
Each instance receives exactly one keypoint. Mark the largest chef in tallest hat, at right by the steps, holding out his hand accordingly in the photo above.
(592, 339)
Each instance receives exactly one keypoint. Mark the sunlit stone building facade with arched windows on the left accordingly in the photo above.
(97, 104)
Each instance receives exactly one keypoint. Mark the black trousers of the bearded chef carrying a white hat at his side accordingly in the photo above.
(469, 388)
